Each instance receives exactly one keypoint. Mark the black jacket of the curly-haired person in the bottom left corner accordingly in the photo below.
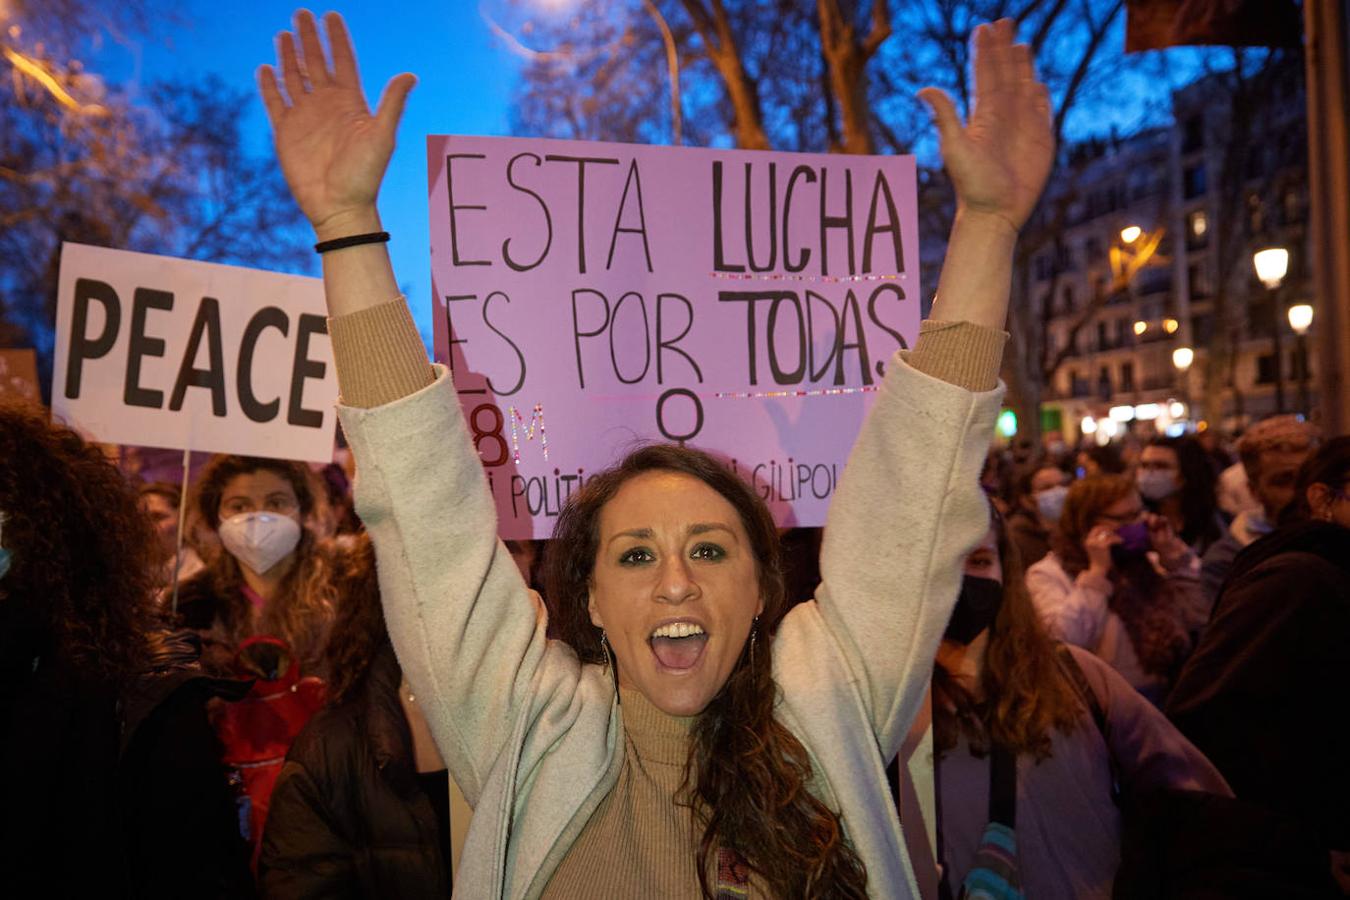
(114, 793)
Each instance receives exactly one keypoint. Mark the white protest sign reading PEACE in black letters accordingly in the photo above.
(156, 351)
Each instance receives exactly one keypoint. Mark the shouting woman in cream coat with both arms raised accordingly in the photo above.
(686, 736)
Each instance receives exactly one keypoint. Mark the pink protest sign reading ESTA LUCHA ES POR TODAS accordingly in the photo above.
(593, 296)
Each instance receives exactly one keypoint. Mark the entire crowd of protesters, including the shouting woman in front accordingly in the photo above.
(1133, 662)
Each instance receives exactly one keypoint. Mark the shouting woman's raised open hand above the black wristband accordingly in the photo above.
(333, 150)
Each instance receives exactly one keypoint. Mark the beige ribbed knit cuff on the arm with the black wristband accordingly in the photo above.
(380, 356)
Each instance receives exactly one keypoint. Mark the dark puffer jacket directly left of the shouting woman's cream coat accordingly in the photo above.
(349, 817)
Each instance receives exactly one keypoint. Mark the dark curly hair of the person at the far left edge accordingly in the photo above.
(82, 580)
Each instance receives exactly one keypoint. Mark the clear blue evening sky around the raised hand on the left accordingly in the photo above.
(465, 82)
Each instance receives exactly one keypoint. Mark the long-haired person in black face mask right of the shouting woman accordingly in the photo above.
(1004, 690)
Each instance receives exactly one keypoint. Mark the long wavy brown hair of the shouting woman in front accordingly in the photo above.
(747, 775)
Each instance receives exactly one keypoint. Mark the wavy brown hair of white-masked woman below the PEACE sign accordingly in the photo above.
(303, 611)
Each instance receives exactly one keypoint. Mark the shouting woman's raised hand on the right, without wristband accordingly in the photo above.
(1001, 160)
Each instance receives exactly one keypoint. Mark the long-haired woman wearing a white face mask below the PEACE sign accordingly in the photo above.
(268, 575)
